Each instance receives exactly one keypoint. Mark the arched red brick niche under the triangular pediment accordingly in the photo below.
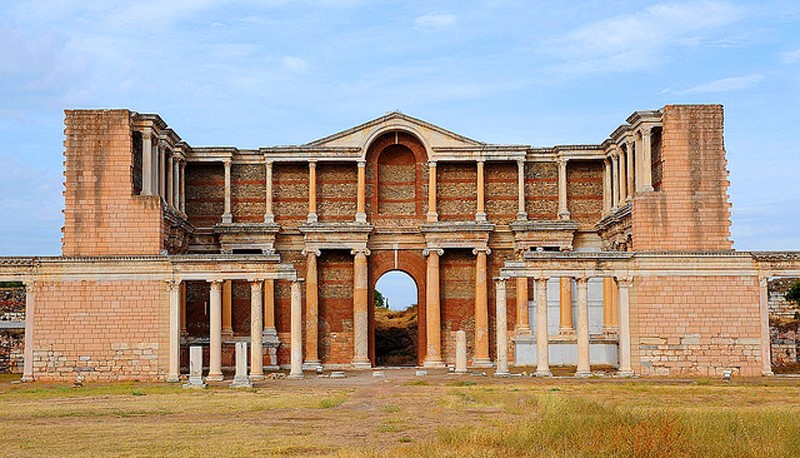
(407, 156)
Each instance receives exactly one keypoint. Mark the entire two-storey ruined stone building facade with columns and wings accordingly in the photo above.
(166, 245)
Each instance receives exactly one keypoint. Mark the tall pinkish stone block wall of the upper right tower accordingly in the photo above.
(691, 211)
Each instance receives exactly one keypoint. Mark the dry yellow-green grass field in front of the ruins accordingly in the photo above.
(438, 415)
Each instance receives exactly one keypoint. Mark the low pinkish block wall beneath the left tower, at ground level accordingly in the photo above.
(101, 330)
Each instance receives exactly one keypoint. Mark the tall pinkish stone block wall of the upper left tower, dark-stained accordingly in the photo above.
(102, 215)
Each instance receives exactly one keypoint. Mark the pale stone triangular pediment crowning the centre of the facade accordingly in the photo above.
(360, 136)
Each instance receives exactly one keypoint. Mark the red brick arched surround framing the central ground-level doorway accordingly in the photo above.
(413, 263)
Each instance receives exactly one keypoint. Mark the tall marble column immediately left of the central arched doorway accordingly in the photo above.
(361, 309)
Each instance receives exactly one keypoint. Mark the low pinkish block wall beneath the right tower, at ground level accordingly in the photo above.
(696, 326)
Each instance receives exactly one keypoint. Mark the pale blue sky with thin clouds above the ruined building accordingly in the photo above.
(263, 73)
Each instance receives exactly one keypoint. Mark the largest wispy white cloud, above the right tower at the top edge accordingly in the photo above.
(642, 39)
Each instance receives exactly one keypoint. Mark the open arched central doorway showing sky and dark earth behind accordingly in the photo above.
(396, 298)
